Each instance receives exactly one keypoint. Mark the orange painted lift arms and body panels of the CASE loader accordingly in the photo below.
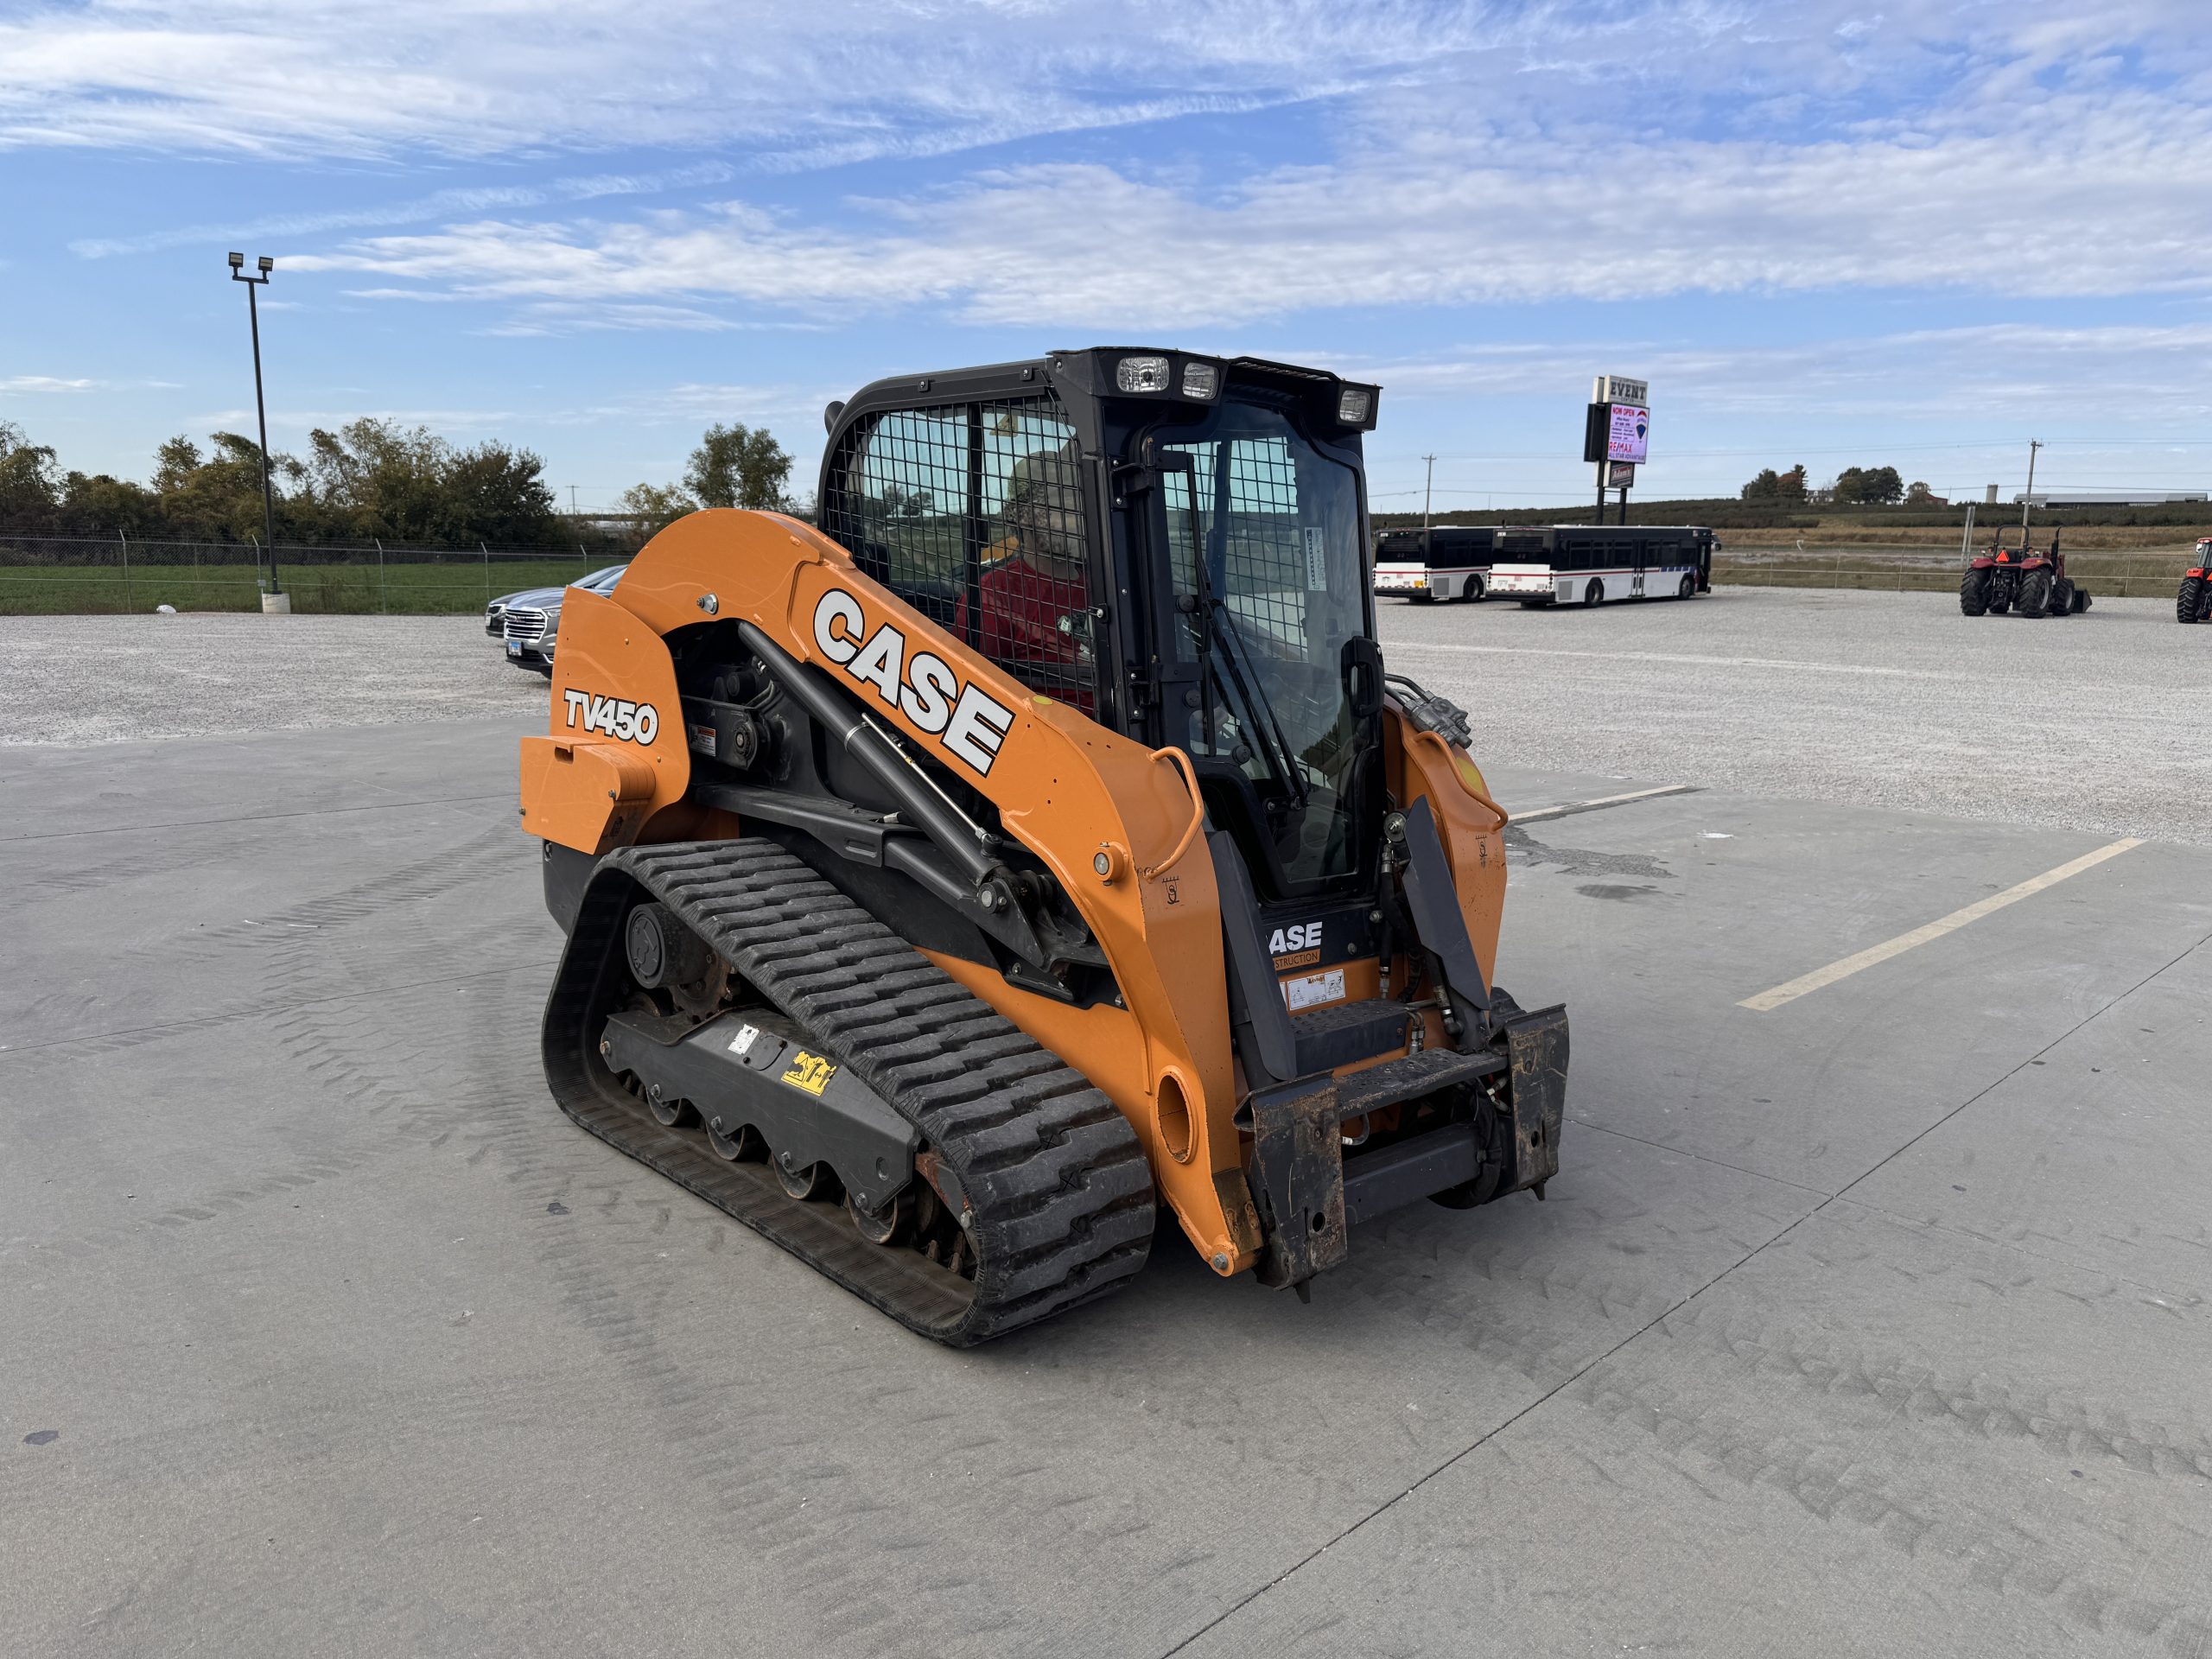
(1065, 786)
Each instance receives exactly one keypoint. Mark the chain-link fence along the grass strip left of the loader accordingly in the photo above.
(72, 574)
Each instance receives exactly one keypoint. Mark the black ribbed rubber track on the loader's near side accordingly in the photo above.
(1058, 1182)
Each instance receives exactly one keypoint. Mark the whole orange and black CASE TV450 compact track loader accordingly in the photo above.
(1034, 844)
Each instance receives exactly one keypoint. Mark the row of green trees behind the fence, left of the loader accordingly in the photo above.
(362, 483)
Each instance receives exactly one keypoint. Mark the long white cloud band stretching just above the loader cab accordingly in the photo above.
(2109, 196)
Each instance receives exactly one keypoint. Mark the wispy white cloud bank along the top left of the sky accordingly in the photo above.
(791, 85)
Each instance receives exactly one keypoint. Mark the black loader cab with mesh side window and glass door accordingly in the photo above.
(1169, 543)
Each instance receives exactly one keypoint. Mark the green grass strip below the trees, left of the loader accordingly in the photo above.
(413, 589)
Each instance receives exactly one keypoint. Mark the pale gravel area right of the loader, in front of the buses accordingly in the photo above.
(1875, 698)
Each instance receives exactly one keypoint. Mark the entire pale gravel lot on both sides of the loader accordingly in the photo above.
(1879, 698)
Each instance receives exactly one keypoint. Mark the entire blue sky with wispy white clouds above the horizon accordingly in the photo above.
(1906, 231)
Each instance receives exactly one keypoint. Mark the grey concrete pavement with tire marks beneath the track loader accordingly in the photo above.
(1875, 1324)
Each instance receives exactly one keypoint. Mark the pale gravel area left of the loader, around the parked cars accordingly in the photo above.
(109, 680)
